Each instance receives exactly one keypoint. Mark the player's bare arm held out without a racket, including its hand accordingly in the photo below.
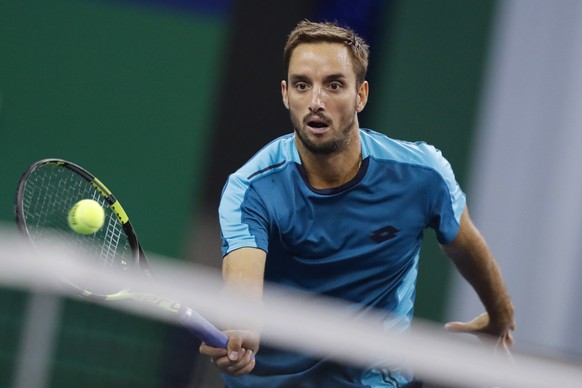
(473, 259)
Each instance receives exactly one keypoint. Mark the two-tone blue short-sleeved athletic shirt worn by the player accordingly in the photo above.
(359, 242)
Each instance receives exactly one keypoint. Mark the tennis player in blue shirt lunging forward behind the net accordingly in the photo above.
(340, 211)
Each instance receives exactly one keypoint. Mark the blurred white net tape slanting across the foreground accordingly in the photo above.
(292, 321)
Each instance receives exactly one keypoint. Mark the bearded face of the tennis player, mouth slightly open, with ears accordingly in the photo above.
(321, 96)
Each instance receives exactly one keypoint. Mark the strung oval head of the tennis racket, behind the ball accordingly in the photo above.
(47, 191)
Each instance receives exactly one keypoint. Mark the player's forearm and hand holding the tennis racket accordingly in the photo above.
(243, 271)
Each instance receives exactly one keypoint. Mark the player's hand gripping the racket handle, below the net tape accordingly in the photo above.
(239, 358)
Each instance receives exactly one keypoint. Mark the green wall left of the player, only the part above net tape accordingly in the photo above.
(125, 91)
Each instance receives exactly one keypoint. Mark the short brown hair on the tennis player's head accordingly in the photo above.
(311, 32)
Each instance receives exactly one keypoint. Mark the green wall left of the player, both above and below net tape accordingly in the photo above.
(127, 92)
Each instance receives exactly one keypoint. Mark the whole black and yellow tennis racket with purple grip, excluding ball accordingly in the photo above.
(48, 190)
